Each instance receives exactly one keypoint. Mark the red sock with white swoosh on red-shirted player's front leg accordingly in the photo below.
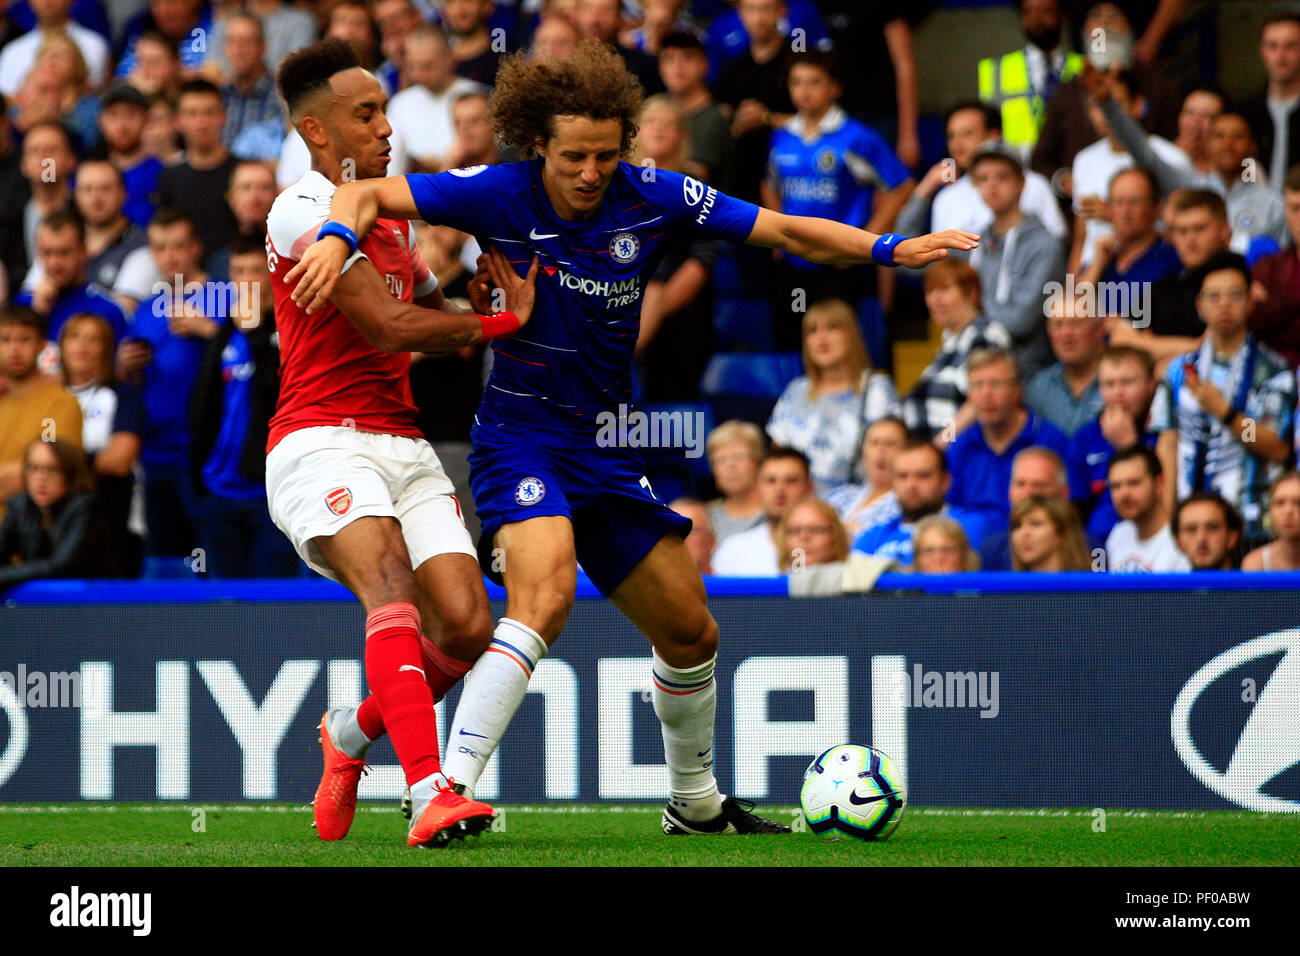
(393, 668)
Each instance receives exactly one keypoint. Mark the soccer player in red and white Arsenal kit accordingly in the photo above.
(349, 477)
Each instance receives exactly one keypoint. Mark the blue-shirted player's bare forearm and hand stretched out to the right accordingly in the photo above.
(837, 244)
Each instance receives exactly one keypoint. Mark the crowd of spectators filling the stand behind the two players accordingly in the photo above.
(1113, 386)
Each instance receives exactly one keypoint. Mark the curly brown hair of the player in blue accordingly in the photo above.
(591, 83)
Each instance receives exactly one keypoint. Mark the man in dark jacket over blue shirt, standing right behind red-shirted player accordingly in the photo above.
(231, 409)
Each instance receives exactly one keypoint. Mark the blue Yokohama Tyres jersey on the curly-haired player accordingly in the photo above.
(574, 360)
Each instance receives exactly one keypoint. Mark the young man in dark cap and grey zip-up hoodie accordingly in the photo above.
(1017, 257)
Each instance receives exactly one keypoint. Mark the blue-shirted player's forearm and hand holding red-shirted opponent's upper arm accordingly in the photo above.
(356, 206)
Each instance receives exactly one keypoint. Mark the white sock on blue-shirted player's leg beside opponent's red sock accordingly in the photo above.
(492, 694)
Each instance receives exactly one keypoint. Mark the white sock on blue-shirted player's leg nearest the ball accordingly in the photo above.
(686, 700)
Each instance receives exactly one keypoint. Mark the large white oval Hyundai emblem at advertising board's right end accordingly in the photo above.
(1271, 739)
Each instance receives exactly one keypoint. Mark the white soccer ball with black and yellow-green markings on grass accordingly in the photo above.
(853, 793)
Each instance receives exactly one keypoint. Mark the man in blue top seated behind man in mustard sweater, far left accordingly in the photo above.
(63, 289)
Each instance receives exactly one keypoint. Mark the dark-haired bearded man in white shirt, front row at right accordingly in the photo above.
(1142, 540)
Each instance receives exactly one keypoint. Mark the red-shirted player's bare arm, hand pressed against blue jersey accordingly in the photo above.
(392, 326)
